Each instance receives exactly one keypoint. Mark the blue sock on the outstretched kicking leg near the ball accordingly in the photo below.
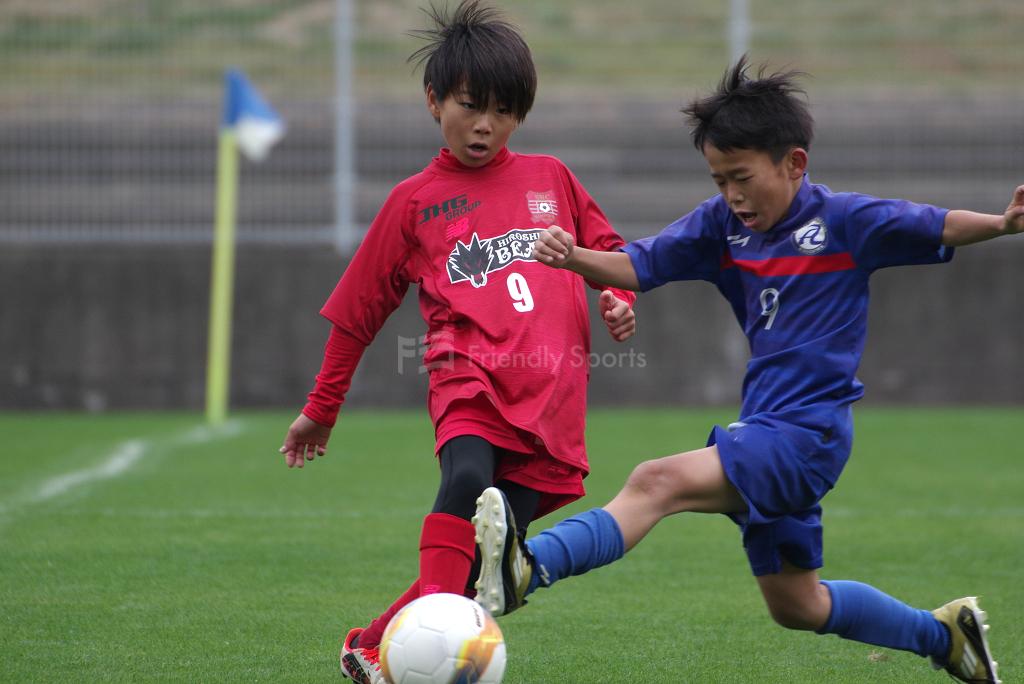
(575, 546)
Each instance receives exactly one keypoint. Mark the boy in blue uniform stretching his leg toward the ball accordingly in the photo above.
(793, 259)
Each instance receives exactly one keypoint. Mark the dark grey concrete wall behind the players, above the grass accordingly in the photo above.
(125, 328)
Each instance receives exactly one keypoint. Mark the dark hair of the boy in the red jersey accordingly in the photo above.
(476, 49)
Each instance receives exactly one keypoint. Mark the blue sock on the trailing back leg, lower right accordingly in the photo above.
(864, 614)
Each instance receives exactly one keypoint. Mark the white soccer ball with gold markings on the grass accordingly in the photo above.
(443, 639)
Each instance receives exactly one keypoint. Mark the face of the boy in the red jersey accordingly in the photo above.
(474, 136)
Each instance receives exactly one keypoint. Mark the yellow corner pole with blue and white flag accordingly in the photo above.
(251, 125)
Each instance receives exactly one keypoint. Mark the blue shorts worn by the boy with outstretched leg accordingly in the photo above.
(783, 464)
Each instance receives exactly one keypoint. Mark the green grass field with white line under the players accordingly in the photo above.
(148, 548)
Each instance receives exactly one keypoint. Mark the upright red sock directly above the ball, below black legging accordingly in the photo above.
(447, 550)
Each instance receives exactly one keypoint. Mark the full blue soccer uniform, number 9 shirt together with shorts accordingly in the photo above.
(800, 293)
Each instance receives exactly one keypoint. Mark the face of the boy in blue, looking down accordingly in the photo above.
(758, 191)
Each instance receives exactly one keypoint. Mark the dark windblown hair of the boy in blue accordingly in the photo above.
(753, 114)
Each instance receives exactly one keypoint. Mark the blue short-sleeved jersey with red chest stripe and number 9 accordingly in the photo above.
(800, 290)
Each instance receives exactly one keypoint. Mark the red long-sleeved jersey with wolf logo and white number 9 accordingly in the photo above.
(500, 325)
